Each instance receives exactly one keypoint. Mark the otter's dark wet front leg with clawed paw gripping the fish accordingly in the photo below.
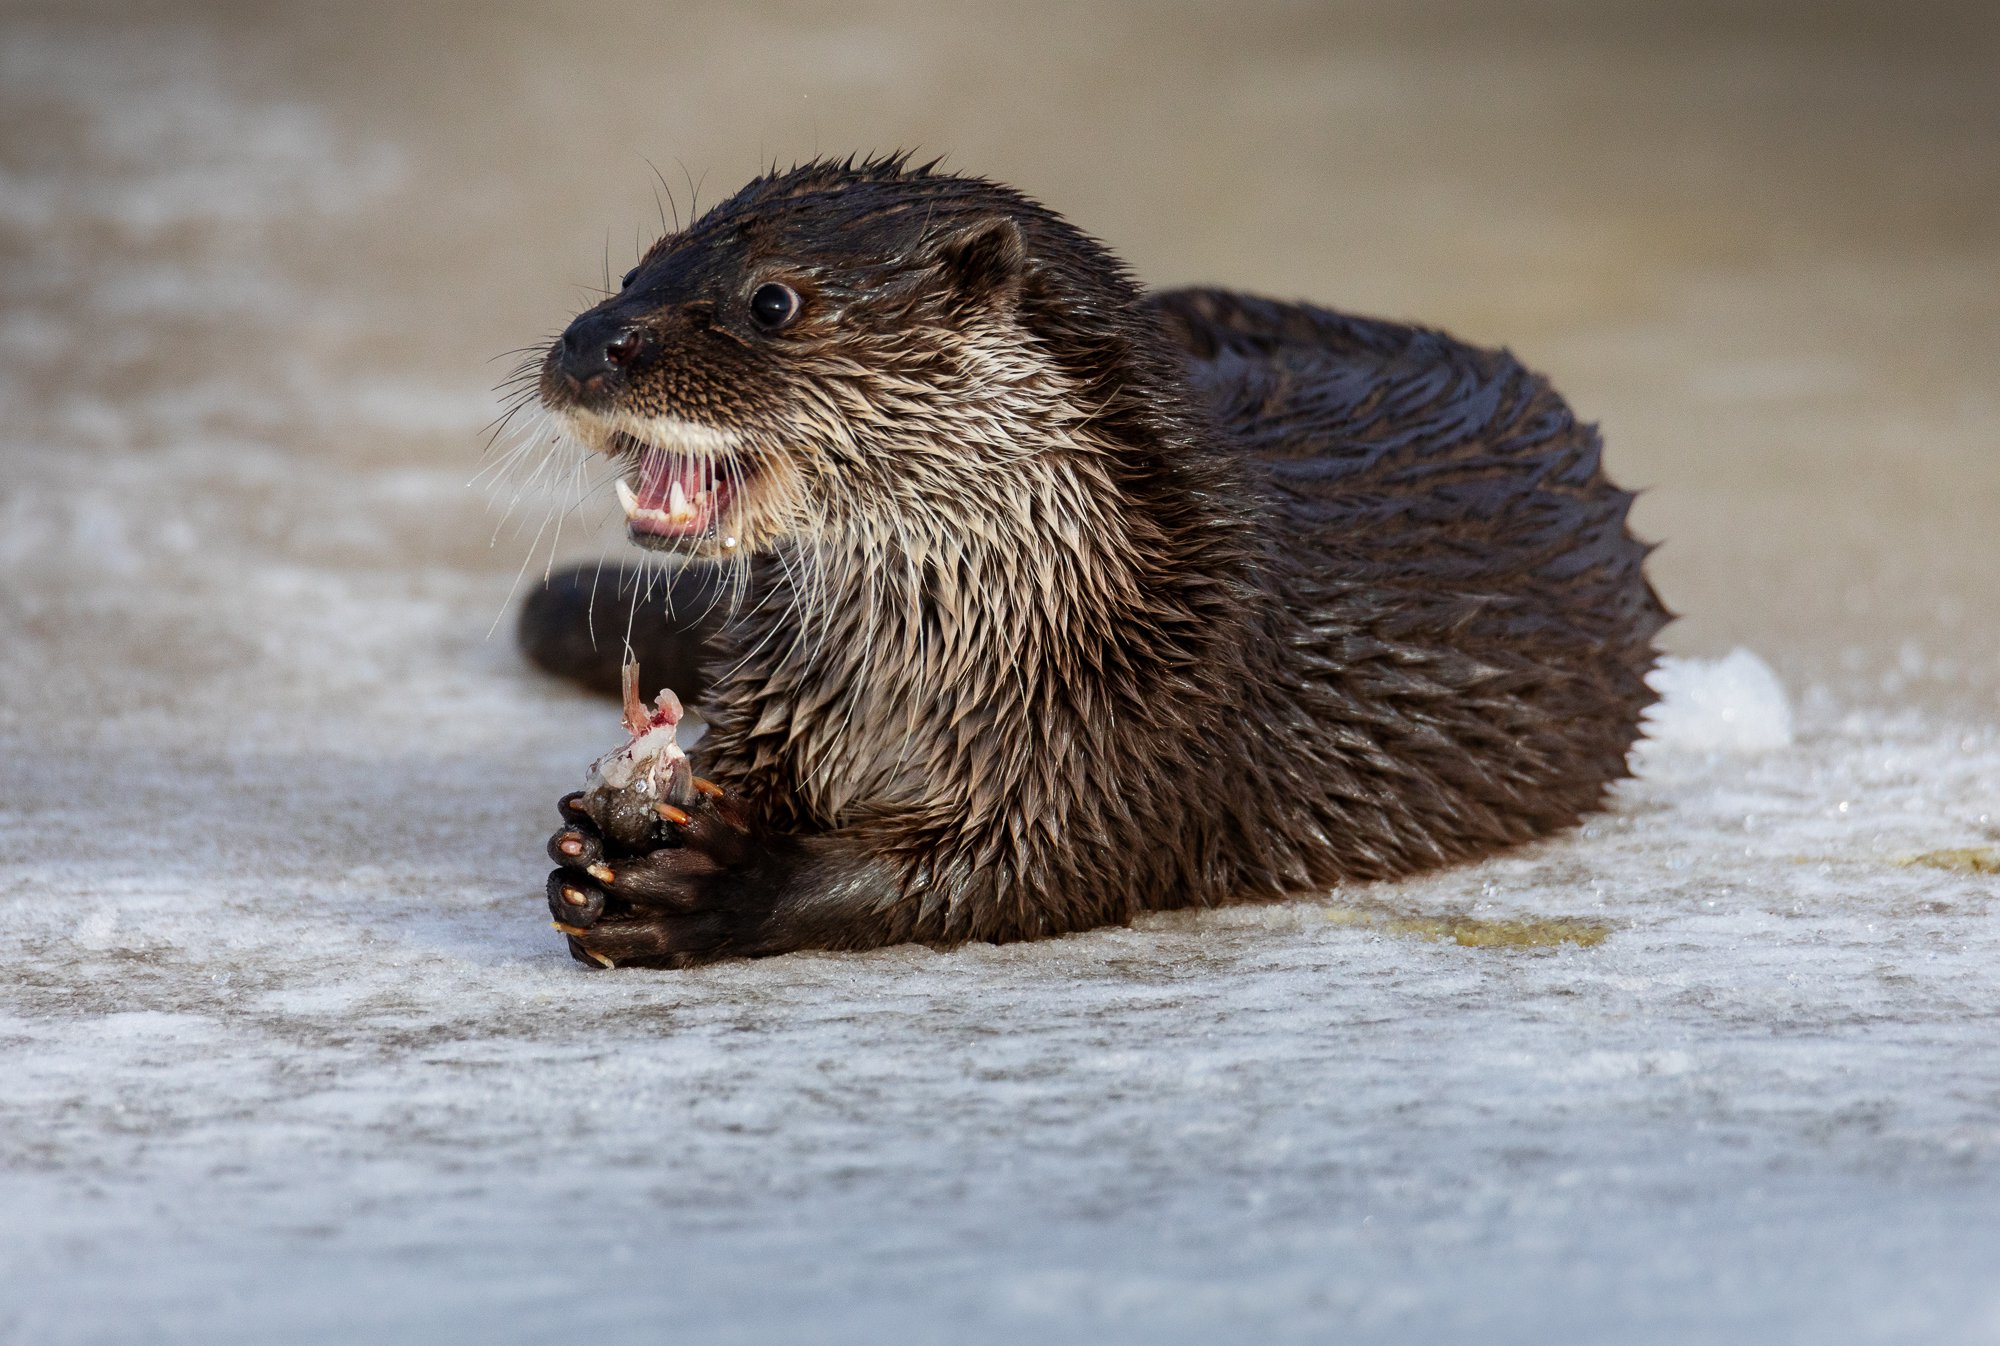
(715, 887)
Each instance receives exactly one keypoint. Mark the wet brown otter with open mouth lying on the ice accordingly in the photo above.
(1047, 601)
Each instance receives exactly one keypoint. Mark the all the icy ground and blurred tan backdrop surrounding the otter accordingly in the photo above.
(287, 1045)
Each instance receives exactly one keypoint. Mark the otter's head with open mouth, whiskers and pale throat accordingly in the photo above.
(837, 349)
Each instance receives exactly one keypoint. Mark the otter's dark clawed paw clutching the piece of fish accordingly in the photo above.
(673, 905)
